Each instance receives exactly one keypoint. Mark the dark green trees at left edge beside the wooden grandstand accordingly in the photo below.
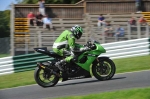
(4, 23)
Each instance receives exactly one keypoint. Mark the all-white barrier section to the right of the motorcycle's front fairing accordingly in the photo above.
(128, 48)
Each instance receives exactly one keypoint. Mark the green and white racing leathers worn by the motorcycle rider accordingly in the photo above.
(65, 38)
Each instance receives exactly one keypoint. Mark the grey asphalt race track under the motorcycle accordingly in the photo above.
(79, 87)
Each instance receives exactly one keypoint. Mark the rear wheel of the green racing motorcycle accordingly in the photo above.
(45, 78)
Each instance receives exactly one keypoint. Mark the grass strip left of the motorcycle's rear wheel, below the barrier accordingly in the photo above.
(17, 79)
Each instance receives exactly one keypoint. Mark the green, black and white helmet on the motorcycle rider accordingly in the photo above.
(77, 31)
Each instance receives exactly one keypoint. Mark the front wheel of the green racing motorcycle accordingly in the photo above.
(104, 69)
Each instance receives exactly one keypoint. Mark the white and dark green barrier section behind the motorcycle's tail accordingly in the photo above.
(20, 63)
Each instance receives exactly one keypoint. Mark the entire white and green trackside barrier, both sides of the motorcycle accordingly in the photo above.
(130, 48)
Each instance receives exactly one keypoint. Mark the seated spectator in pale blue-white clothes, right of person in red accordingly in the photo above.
(47, 23)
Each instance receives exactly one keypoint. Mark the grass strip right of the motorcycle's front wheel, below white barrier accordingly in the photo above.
(132, 64)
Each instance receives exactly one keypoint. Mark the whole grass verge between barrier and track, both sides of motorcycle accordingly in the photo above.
(122, 65)
